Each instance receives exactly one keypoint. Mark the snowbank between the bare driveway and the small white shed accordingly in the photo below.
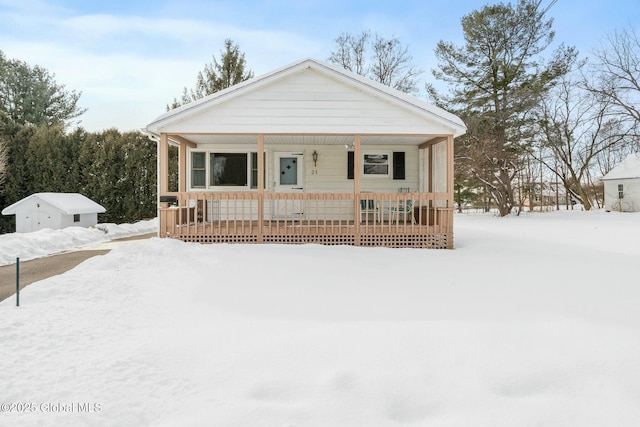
(27, 246)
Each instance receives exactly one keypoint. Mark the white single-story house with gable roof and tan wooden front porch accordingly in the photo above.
(309, 153)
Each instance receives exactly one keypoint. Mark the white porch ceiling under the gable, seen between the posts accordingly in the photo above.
(311, 139)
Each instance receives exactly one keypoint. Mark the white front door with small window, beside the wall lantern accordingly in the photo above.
(289, 178)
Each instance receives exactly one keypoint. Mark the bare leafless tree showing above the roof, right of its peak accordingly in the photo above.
(384, 60)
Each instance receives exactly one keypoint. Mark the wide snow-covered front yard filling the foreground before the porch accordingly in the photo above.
(530, 321)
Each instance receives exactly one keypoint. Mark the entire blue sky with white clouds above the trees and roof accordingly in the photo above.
(131, 58)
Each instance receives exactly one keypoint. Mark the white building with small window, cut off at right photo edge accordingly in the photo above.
(622, 186)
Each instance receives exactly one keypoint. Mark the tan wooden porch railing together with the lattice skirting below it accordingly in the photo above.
(369, 219)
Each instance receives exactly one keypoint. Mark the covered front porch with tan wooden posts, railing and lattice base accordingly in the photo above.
(380, 206)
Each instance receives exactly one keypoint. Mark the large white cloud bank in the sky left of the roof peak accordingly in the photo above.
(129, 68)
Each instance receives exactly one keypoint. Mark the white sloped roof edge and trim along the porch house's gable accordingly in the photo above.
(359, 83)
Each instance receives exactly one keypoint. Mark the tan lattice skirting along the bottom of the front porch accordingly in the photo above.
(430, 241)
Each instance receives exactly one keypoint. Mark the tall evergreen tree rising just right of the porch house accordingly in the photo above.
(498, 77)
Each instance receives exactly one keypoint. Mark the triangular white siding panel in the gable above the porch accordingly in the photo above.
(308, 102)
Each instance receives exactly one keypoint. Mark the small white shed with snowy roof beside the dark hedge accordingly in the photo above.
(54, 210)
